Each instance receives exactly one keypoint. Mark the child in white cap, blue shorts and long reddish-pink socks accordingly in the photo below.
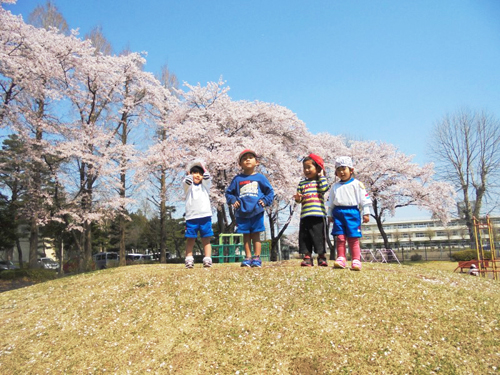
(347, 198)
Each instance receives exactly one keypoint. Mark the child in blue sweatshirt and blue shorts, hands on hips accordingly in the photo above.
(248, 194)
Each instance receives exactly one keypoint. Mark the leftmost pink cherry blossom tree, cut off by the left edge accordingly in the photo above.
(29, 93)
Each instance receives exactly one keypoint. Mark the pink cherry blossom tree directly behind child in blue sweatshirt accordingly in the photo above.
(210, 126)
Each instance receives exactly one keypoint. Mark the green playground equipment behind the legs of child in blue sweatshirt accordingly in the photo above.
(231, 249)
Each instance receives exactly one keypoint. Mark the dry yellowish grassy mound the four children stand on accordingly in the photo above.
(279, 319)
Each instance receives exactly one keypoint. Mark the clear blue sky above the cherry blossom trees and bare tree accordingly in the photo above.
(372, 70)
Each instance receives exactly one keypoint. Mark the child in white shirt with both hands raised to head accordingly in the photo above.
(198, 212)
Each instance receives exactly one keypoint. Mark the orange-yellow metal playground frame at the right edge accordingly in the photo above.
(485, 265)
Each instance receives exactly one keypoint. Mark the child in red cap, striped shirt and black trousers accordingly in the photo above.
(310, 193)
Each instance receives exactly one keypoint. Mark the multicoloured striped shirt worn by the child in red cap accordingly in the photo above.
(313, 192)
